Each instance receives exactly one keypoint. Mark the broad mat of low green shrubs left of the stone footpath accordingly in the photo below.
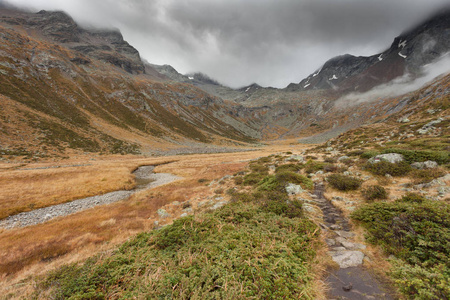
(196, 259)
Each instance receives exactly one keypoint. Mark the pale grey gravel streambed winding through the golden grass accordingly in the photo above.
(145, 179)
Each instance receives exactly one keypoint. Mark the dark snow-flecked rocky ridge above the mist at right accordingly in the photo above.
(407, 55)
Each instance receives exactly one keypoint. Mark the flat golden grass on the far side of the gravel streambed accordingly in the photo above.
(25, 190)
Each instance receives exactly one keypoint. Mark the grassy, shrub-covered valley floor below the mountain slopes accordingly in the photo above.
(250, 186)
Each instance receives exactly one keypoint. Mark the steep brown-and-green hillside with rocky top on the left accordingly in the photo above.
(67, 87)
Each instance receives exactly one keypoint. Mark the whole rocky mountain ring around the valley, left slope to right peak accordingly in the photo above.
(67, 87)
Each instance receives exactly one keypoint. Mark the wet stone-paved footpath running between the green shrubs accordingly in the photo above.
(351, 280)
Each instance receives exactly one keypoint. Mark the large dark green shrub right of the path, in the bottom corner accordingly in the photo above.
(417, 232)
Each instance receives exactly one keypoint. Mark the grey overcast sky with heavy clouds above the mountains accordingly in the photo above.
(238, 42)
